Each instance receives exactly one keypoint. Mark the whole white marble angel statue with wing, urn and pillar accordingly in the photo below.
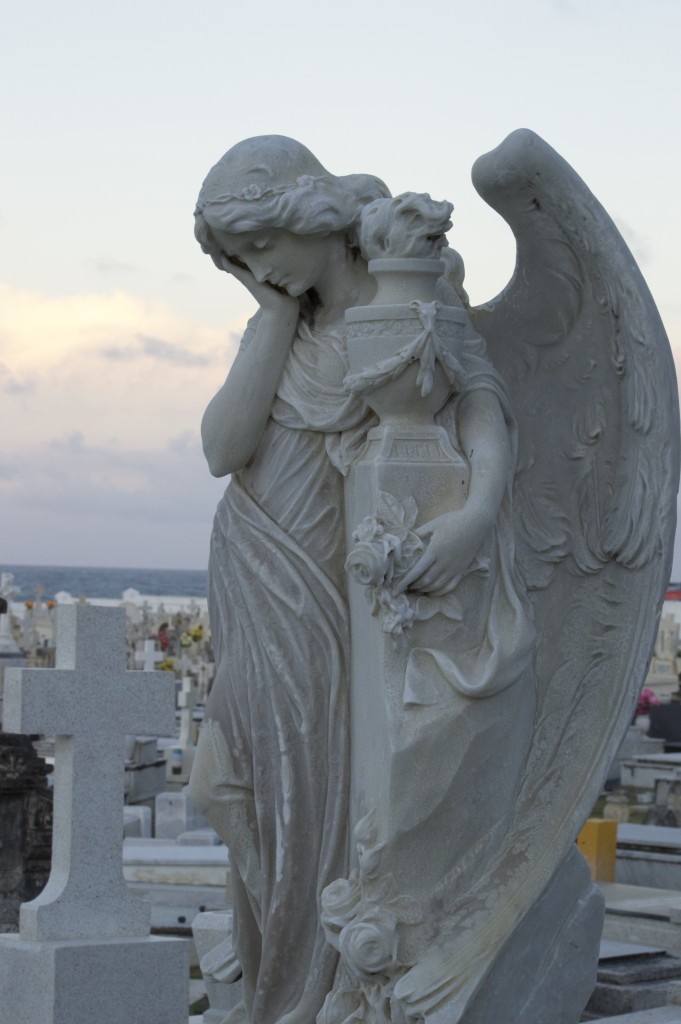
(401, 782)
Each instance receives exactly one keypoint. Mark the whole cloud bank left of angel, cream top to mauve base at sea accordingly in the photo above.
(102, 461)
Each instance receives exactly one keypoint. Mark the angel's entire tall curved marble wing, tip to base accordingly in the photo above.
(579, 342)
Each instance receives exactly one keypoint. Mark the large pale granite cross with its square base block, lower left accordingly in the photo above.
(84, 951)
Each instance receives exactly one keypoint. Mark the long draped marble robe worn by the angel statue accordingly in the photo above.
(272, 769)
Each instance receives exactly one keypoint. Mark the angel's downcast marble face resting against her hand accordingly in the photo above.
(294, 263)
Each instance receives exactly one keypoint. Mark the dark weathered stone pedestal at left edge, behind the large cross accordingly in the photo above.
(26, 827)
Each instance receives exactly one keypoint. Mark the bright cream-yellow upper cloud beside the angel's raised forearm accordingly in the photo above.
(121, 371)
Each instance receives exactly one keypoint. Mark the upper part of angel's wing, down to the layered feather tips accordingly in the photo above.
(581, 346)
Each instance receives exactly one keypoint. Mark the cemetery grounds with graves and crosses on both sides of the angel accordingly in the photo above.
(175, 862)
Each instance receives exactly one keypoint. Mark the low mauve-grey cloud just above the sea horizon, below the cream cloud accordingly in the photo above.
(73, 502)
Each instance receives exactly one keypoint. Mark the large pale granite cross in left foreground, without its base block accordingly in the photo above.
(90, 702)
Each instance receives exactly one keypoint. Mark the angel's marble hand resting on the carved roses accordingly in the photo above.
(453, 540)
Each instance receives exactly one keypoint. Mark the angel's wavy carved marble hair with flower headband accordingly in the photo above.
(274, 182)
